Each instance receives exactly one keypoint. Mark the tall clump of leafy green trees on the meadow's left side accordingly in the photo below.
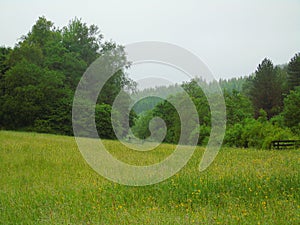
(39, 76)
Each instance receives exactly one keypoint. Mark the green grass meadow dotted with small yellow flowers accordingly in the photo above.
(44, 180)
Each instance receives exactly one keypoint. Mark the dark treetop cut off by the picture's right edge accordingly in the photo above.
(294, 72)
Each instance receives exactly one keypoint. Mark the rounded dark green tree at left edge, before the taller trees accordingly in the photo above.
(31, 93)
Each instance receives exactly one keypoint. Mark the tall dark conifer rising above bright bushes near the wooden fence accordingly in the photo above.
(266, 89)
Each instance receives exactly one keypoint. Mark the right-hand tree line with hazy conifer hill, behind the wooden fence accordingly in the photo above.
(262, 107)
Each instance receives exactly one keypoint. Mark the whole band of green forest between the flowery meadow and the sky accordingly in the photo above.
(38, 78)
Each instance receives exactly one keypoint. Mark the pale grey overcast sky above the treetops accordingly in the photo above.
(230, 36)
